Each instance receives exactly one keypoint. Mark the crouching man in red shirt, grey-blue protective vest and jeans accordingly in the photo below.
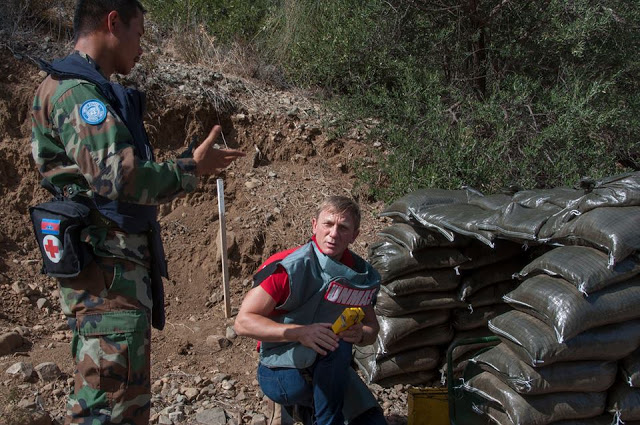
(296, 297)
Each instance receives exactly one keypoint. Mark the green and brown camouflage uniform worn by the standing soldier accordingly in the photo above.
(108, 305)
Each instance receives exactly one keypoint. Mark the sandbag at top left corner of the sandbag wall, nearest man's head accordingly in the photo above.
(401, 208)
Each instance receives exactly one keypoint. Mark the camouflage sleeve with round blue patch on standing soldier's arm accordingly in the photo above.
(104, 153)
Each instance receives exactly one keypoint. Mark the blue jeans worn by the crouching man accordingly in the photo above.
(321, 386)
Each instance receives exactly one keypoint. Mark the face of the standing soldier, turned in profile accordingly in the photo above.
(128, 49)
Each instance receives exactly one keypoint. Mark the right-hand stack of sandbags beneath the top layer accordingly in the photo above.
(575, 319)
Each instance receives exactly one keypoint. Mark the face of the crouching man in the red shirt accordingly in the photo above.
(334, 232)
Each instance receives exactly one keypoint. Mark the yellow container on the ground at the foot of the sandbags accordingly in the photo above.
(428, 406)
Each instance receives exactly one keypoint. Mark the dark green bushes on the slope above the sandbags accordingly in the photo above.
(488, 94)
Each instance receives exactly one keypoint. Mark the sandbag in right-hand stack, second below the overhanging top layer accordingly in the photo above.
(560, 305)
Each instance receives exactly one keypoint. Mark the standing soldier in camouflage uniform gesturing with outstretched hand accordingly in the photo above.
(91, 144)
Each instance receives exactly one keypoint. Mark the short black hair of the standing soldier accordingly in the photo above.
(89, 13)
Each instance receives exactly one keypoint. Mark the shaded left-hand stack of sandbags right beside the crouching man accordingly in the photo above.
(434, 285)
